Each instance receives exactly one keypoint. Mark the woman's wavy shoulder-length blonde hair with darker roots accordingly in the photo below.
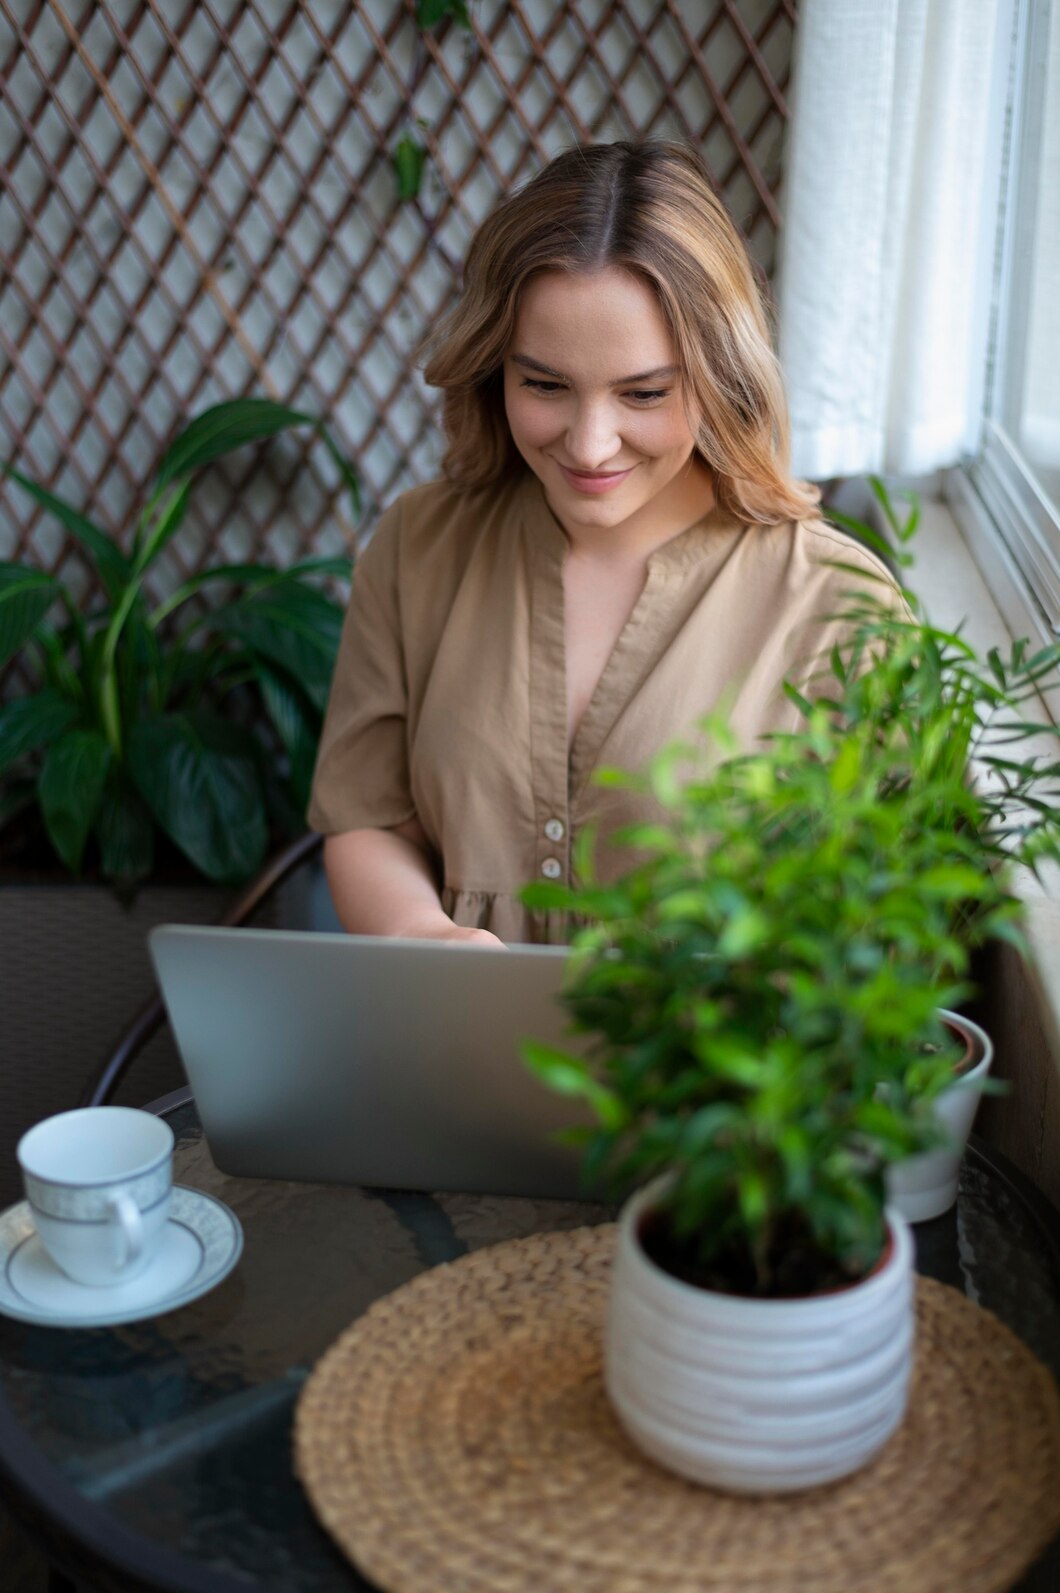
(650, 209)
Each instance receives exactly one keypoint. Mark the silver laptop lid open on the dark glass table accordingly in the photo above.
(366, 1060)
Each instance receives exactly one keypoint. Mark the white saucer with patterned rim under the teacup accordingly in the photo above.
(200, 1245)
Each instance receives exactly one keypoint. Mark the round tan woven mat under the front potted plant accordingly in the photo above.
(458, 1438)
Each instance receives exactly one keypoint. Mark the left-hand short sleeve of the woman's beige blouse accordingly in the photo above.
(361, 780)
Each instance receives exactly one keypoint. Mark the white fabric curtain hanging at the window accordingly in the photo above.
(890, 214)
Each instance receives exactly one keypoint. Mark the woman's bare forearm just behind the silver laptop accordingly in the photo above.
(383, 883)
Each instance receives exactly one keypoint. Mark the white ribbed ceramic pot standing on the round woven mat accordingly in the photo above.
(758, 1396)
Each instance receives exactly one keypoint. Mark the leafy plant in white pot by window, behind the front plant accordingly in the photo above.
(943, 710)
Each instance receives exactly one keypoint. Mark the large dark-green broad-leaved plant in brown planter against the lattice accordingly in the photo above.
(163, 740)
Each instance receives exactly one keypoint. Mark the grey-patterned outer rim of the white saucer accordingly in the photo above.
(214, 1224)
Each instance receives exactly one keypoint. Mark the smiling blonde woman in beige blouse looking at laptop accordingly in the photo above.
(614, 547)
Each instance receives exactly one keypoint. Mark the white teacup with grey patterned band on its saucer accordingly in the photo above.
(100, 1183)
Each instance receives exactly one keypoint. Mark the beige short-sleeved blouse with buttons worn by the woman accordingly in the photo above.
(449, 700)
